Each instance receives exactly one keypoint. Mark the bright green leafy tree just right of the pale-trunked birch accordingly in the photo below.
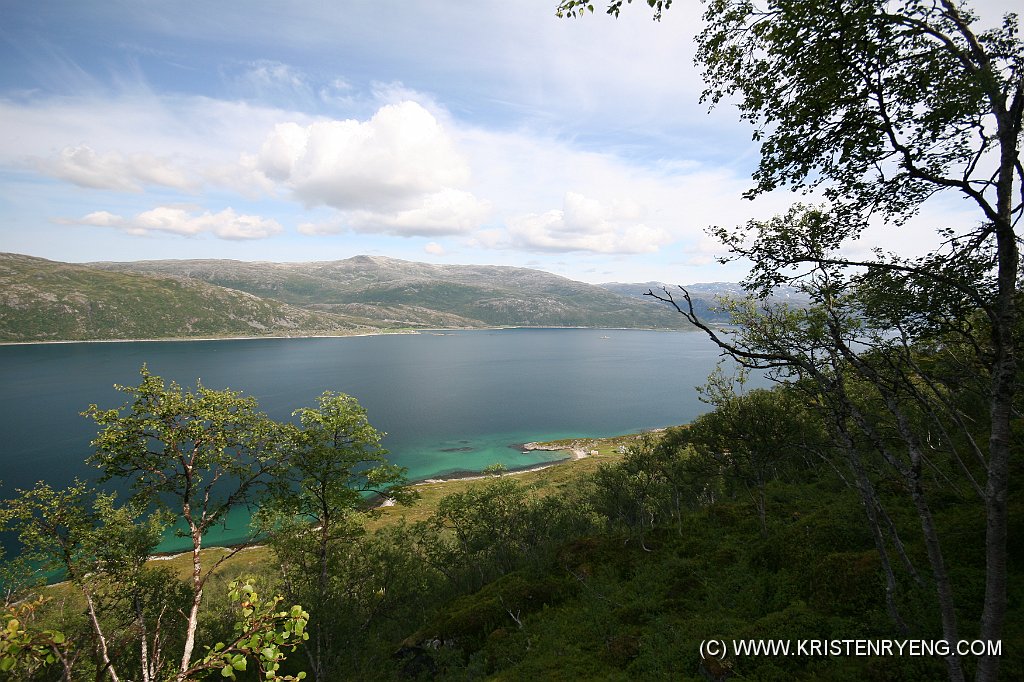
(334, 459)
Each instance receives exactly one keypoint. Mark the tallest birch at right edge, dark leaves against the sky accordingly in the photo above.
(879, 106)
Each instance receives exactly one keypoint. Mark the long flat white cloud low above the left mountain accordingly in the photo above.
(226, 225)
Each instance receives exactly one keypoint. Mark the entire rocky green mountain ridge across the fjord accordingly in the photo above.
(46, 301)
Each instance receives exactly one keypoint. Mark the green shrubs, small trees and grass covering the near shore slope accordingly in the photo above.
(613, 567)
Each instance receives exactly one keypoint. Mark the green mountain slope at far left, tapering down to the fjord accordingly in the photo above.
(45, 301)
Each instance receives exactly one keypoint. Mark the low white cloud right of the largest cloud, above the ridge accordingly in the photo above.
(587, 225)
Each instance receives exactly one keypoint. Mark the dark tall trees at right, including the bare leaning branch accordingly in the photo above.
(878, 108)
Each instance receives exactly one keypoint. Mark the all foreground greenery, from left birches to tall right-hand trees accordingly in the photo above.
(870, 497)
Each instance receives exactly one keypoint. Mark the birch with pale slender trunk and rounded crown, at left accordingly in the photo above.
(200, 454)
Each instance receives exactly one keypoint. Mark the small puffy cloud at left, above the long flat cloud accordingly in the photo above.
(87, 168)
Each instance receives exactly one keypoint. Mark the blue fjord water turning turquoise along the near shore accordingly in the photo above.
(450, 402)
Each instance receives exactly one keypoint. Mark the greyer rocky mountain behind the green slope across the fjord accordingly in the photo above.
(421, 295)
